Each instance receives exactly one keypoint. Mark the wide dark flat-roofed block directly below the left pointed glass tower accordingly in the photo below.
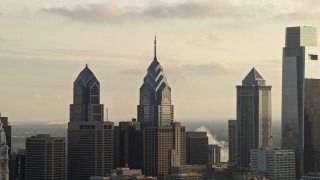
(90, 149)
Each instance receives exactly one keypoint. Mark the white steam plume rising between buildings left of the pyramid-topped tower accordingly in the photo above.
(212, 139)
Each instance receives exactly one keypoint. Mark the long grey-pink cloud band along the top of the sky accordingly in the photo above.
(111, 12)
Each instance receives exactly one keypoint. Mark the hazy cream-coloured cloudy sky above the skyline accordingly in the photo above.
(206, 48)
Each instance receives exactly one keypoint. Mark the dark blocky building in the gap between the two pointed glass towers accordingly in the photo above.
(130, 148)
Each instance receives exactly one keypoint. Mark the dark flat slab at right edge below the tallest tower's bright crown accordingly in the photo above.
(312, 125)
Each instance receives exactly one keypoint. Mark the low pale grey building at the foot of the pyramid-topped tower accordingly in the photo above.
(277, 164)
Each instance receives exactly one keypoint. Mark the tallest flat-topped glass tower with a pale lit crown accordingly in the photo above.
(300, 62)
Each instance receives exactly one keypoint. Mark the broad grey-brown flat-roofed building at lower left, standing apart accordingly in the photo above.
(45, 157)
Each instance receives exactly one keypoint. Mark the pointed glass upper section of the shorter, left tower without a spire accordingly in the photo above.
(86, 98)
